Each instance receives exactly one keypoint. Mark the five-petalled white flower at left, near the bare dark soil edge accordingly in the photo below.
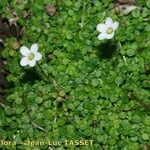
(30, 56)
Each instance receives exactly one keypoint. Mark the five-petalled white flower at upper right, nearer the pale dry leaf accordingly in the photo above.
(107, 29)
